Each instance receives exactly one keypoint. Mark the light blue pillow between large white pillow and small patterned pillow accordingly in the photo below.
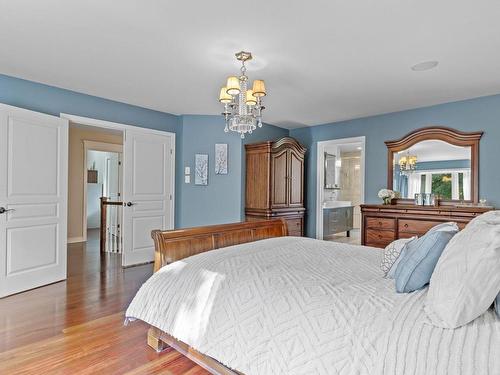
(419, 258)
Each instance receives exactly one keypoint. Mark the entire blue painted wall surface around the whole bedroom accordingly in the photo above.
(223, 199)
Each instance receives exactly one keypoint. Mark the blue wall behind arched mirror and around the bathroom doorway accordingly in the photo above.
(469, 115)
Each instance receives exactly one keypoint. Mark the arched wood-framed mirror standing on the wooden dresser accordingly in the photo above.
(441, 161)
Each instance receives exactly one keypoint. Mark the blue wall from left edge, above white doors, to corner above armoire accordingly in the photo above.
(220, 202)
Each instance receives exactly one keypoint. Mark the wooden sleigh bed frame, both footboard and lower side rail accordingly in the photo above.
(174, 245)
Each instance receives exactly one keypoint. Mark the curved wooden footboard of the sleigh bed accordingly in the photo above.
(173, 245)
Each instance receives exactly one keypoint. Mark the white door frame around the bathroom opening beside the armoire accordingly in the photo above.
(320, 172)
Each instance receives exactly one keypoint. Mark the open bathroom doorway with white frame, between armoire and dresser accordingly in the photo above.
(340, 189)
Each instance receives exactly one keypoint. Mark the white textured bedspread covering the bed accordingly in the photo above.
(302, 306)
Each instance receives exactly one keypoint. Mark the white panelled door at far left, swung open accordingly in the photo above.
(33, 199)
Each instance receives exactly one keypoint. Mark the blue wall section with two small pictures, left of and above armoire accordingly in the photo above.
(222, 200)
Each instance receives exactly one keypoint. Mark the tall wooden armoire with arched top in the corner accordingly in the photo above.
(275, 182)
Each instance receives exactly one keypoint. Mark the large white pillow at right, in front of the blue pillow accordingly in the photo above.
(466, 280)
